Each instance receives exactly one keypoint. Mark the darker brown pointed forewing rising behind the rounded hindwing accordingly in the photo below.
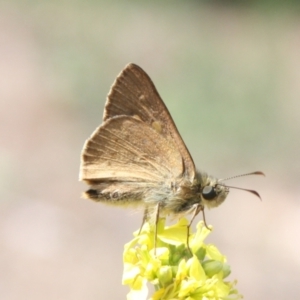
(134, 94)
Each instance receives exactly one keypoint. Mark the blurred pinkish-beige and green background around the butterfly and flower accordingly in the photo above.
(229, 74)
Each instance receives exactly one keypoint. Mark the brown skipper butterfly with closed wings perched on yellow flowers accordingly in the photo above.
(137, 156)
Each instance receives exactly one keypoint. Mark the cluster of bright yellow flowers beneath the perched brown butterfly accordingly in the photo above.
(172, 269)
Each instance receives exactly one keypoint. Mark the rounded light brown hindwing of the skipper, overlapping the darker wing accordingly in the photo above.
(125, 149)
